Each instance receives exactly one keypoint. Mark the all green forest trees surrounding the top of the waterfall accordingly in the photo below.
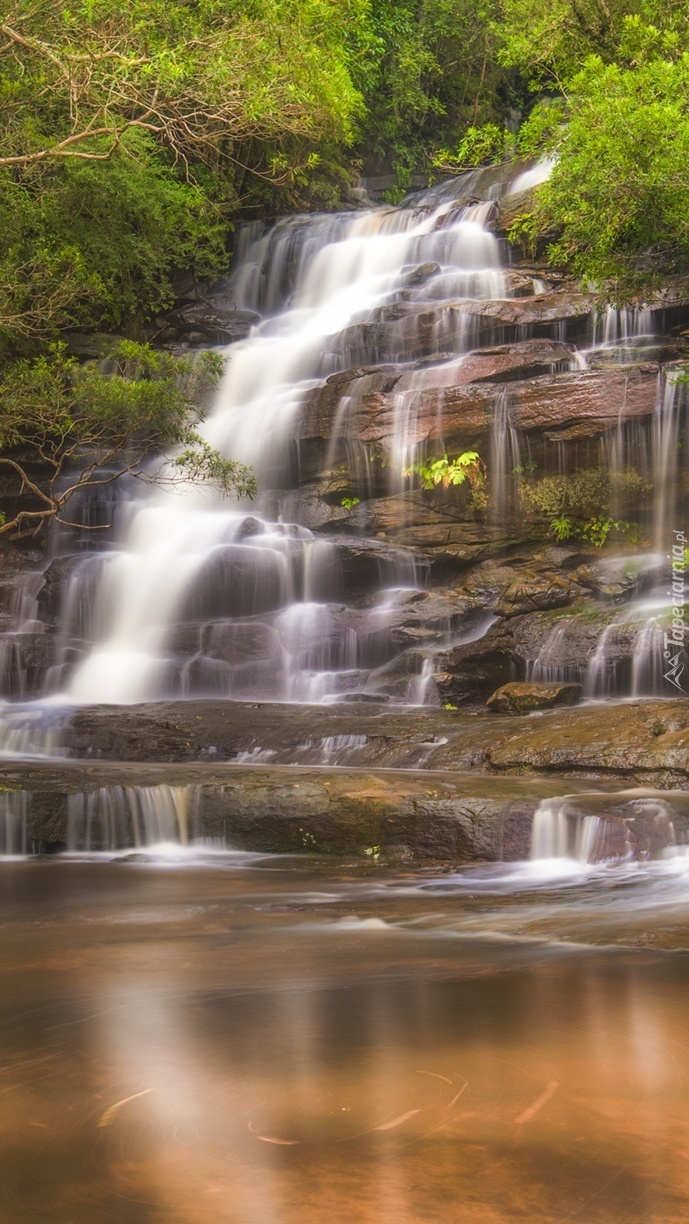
(135, 134)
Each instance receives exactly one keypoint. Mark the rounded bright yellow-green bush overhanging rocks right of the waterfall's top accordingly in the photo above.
(620, 190)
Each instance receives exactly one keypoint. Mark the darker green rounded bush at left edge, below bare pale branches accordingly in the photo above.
(101, 242)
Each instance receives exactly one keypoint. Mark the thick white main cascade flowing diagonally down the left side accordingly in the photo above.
(255, 603)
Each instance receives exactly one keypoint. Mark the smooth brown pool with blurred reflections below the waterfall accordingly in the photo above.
(260, 1042)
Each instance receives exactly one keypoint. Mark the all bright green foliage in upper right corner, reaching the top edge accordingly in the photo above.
(621, 133)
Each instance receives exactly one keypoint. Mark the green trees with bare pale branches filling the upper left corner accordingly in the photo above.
(127, 130)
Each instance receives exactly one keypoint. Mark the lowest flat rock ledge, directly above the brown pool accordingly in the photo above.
(280, 810)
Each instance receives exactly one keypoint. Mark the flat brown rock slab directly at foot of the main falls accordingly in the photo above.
(647, 742)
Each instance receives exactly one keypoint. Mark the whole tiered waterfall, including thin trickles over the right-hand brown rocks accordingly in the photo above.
(376, 319)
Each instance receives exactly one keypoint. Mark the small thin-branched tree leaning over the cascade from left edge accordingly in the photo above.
(65, 429)
